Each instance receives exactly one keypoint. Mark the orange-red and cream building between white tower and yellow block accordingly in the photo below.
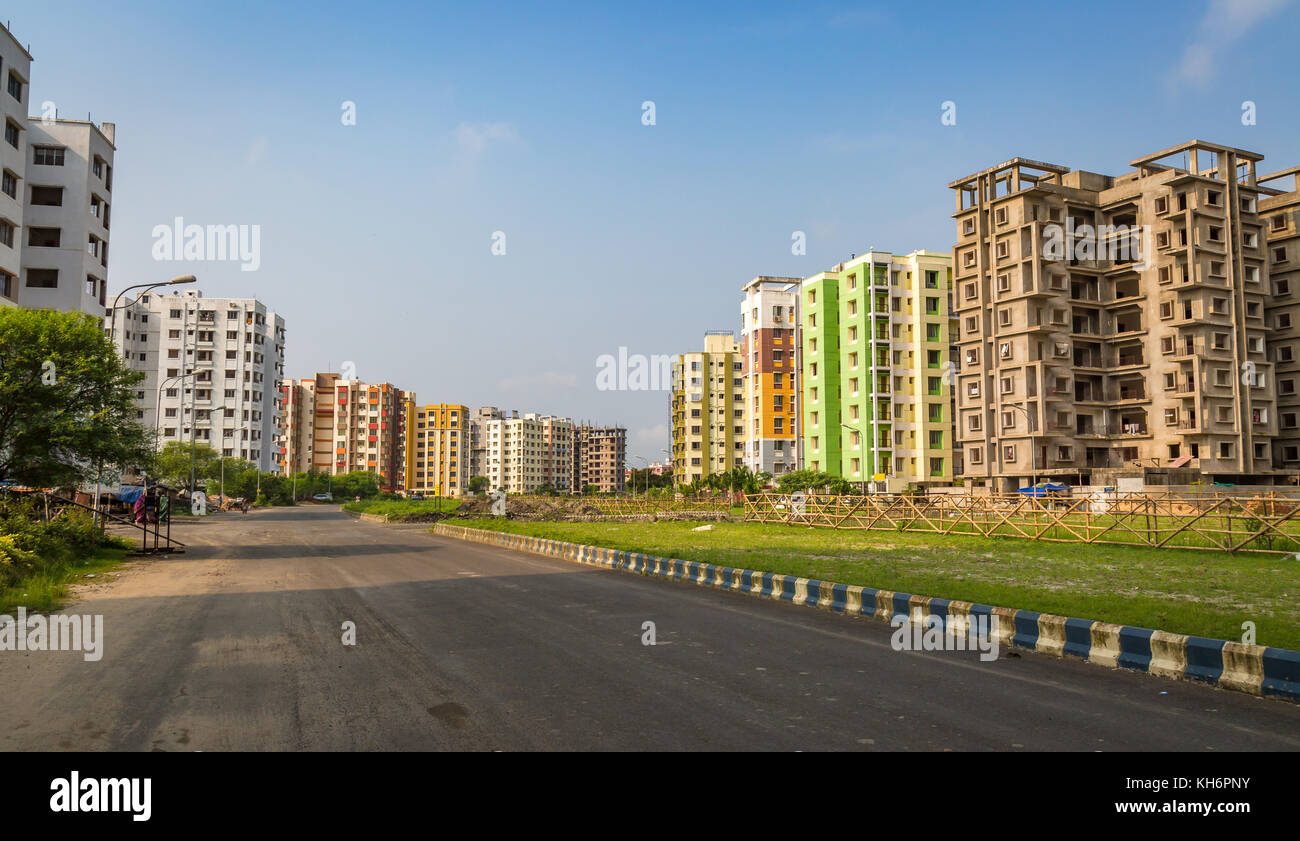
(336, 426)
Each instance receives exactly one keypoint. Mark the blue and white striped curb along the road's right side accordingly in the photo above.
(1251, 669)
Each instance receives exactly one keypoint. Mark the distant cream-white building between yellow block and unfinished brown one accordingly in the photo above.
(530, 453)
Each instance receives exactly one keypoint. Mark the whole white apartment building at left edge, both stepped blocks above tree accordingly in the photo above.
(57, 183)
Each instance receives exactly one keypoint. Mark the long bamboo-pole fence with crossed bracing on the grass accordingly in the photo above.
(1232, 524)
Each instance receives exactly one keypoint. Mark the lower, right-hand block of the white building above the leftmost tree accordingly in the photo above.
(70, 193)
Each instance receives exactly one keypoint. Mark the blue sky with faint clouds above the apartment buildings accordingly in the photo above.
(376, 239)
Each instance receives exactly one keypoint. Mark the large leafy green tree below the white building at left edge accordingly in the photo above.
(66, 400)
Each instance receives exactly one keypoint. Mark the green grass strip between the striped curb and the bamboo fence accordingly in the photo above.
(1194, 592)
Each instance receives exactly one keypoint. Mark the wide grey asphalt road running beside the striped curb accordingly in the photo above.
(237, 645)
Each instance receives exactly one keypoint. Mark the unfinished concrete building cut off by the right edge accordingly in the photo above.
(1280, 213)
